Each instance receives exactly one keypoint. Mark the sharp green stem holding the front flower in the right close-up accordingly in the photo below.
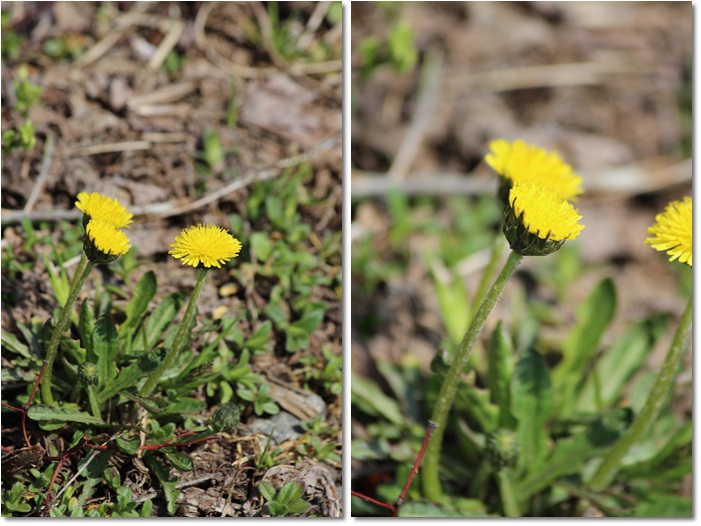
(446, 397)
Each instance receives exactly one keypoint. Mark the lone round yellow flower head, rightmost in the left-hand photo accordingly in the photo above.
(207, 245)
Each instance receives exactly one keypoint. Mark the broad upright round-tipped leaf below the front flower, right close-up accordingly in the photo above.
(532, 406)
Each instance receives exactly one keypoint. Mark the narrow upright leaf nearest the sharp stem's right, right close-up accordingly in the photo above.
(499, 373)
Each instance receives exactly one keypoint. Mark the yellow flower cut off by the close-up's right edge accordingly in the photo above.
(672, 231)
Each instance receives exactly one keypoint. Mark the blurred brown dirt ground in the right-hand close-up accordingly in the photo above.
(607, 84)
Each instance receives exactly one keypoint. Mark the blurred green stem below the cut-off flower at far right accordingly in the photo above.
(650, 411)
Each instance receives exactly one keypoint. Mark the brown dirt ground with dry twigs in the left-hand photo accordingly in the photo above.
(125, 125)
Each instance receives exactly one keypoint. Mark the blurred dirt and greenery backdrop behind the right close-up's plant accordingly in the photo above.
(606, 84)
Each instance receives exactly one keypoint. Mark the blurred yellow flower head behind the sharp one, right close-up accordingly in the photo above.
(518, 161)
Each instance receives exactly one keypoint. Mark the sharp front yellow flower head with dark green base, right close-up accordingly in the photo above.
(538, 221)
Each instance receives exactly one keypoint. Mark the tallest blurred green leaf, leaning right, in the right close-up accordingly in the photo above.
(582, 344)
